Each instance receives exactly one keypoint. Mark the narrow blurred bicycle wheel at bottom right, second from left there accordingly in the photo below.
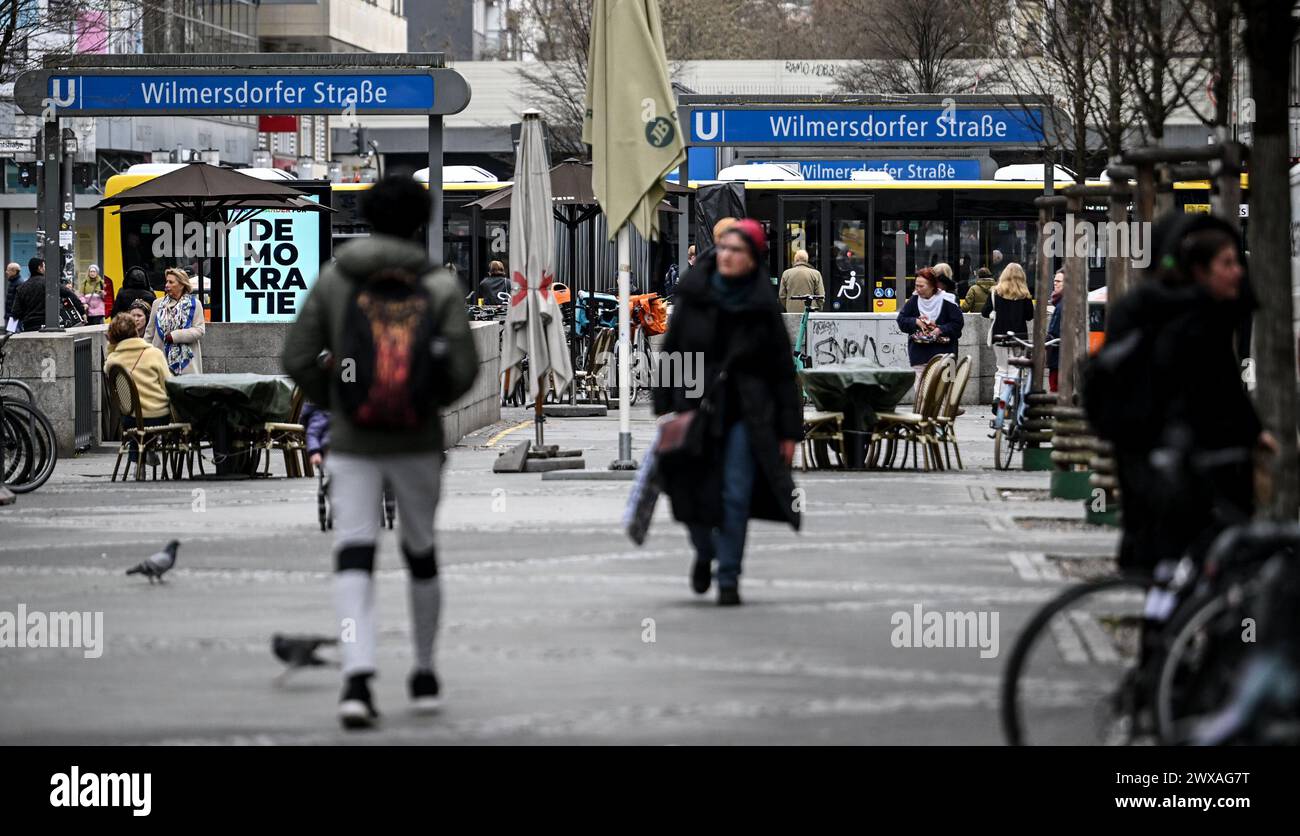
(1203, 664)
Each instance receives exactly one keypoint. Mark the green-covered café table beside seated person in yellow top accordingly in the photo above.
(223, 409)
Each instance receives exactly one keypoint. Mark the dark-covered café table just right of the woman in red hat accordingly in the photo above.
(860, 388)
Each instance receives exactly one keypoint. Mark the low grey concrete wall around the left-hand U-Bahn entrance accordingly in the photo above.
(45, 362)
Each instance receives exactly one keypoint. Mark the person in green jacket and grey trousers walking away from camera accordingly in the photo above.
(362, 460)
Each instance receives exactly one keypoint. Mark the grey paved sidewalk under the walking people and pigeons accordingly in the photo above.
(548, 608)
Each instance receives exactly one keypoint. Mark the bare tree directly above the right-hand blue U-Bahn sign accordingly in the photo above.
(915, 47)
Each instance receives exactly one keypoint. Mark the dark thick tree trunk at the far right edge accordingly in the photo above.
(1268, 45)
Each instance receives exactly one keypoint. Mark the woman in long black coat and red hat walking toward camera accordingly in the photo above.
(736, 462)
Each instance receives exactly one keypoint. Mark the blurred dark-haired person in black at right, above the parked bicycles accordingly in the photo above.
(1176, 384)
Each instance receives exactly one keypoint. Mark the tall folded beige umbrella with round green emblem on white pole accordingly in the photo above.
(631, 124)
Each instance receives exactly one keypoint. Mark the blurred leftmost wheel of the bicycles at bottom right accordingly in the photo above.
(1073, 674)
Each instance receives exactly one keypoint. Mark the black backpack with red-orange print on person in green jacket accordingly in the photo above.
(388, 367)
